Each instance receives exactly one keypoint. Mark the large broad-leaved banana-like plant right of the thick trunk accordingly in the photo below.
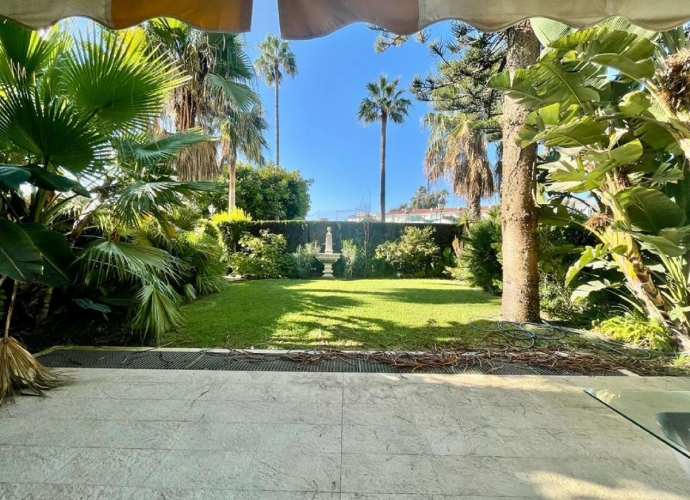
(611, 107)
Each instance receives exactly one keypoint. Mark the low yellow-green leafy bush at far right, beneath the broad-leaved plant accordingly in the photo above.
(638, 330)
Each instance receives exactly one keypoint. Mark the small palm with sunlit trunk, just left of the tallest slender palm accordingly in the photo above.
(241, 132)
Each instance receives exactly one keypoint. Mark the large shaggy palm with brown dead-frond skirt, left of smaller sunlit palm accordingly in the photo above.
(219, 74)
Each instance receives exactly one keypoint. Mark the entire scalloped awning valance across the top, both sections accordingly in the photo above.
(300, 19)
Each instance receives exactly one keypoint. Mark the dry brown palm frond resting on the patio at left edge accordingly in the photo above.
(19, 371)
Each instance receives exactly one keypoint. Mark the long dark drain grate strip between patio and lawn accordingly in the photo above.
(242, 361)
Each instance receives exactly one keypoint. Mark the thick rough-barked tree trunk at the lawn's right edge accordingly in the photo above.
(518, 208)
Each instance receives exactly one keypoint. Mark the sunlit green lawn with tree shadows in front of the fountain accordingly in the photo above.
(376, 314)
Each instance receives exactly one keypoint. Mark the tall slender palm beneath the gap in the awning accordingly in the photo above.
(276, 59)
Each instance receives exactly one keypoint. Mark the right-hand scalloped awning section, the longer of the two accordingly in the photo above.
(301, 19)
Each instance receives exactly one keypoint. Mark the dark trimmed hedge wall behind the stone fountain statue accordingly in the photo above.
(297, 233)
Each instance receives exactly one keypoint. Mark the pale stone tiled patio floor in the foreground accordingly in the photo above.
(191, 435)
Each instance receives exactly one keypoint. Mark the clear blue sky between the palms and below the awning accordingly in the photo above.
(319, 132)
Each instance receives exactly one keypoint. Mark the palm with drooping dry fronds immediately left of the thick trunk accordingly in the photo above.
(457, 152)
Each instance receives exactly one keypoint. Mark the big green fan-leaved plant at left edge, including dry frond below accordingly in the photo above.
(63, 104)
